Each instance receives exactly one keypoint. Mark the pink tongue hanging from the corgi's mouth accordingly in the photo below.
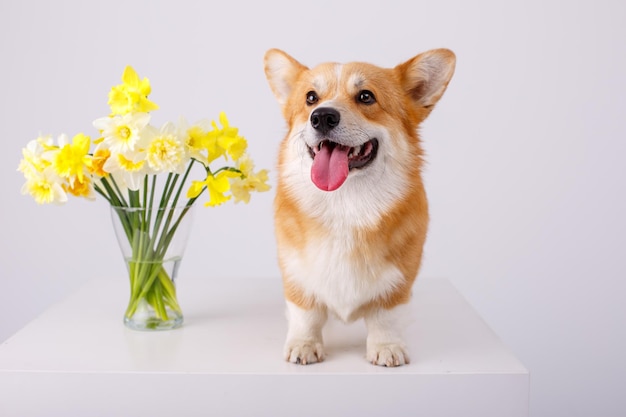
(330, 167)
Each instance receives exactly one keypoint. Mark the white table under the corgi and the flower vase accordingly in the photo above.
(78, 359)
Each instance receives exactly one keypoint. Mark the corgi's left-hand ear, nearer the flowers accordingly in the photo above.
(282, 72)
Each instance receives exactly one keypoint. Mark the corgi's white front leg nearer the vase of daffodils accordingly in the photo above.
(304, 338)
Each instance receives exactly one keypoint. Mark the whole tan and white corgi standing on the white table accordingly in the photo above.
(350, 209)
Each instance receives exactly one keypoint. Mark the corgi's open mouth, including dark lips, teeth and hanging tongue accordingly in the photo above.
(332, 162)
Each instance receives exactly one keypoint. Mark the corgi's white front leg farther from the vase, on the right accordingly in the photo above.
(385, 344)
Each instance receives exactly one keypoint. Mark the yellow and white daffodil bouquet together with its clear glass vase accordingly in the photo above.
(145, 172)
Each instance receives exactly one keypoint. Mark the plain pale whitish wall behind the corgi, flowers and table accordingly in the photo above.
(525, 169)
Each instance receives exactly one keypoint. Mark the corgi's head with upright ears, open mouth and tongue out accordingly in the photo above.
(351, 118)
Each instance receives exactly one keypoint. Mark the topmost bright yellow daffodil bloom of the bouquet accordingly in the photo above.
(131, 95)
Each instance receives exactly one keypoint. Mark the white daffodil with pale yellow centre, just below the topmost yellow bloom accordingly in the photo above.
(122, 133)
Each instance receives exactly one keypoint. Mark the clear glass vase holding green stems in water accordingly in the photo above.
(152, 243)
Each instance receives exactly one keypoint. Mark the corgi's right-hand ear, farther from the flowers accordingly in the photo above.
(426, 76)
